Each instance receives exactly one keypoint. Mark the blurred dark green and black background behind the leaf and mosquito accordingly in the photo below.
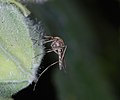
(90, 28)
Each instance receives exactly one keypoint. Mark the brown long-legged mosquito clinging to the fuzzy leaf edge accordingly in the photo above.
(58, 47)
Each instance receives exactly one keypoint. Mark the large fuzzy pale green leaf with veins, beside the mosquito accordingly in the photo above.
(18, 63)
